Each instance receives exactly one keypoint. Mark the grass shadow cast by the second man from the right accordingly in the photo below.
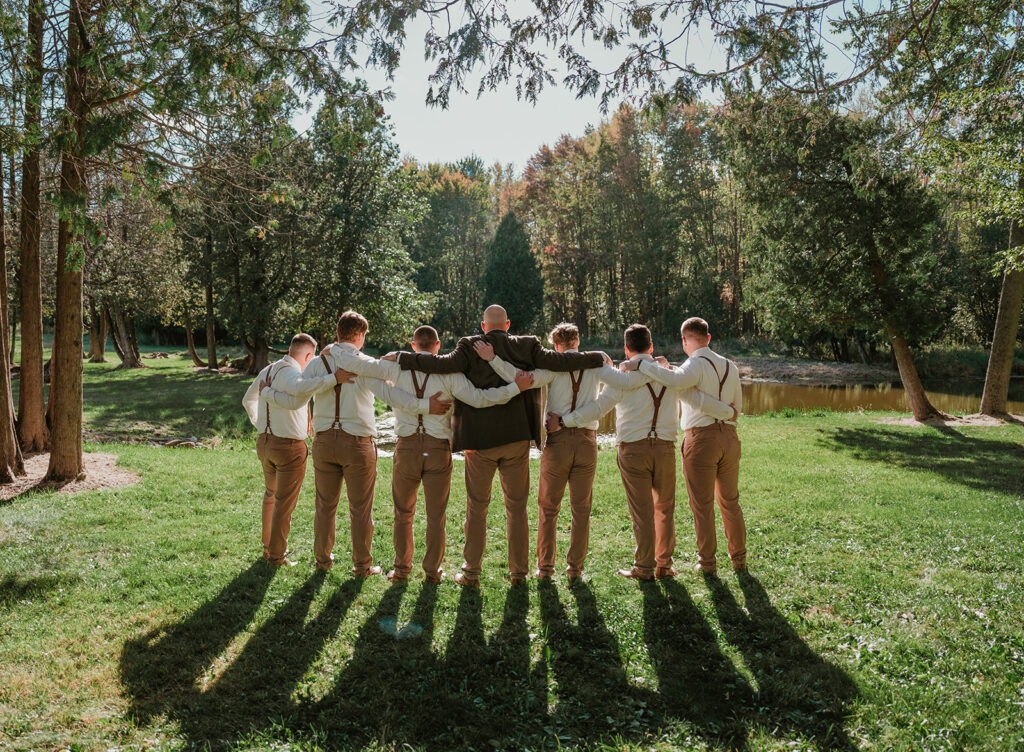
(697, 682)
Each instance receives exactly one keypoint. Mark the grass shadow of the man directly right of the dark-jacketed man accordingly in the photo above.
(595, 700)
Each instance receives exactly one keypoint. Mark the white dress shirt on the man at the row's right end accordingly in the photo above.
(698, 374)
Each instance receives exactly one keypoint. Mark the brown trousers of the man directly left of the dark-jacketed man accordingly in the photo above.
(420, 457)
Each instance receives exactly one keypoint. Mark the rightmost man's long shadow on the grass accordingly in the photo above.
(798, 690)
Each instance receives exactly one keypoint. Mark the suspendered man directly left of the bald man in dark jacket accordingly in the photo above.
(423, 453)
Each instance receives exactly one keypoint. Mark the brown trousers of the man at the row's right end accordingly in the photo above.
(711, 465)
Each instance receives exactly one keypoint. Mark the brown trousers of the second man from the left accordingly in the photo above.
(342, 457)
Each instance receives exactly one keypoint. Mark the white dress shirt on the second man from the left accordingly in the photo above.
(357, 399)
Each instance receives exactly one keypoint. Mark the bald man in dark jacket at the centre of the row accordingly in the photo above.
(497, 439)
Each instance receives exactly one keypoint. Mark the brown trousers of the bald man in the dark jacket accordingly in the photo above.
(513, 462)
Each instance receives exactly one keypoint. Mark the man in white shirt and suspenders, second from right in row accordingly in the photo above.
(647, 426)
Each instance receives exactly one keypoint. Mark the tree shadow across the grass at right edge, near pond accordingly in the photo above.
(980, 464)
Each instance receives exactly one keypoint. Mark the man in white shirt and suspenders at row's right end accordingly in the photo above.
(711, 450)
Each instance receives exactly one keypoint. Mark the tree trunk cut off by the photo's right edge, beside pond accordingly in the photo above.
(1001, 359)
